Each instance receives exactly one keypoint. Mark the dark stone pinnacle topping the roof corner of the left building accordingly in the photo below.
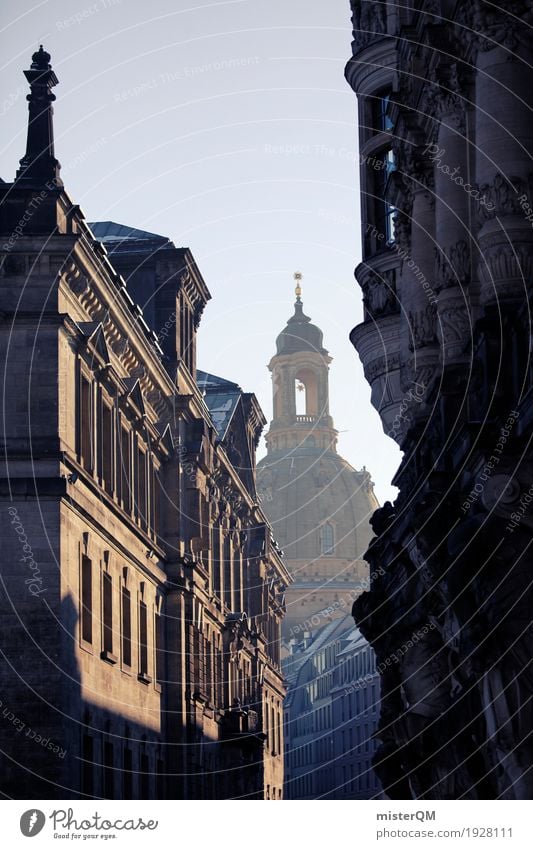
(39, 165)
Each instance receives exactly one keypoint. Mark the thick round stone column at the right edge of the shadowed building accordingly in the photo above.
(504, 170)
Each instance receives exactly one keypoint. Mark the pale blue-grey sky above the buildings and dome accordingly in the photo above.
(228, 127)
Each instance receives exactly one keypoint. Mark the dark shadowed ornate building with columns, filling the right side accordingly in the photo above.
(445, 93)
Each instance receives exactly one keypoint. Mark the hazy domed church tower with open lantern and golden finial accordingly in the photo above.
(318, 504)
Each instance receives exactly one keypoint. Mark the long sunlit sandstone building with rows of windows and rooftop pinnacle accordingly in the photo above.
(142, 596)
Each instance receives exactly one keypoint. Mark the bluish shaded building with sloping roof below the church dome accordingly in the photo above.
(331, 714)
